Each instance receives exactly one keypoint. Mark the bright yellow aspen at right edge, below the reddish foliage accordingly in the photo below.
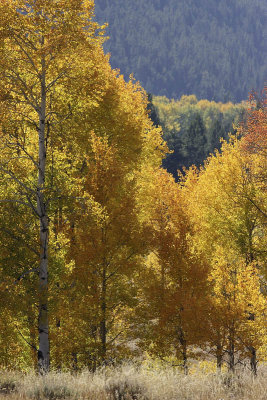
(230, 231)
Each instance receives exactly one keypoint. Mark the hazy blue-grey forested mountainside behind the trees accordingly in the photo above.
(212, 48)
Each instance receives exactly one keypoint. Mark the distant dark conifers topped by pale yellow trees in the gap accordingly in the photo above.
(193, 129)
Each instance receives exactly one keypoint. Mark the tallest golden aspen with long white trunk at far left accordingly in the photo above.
(43, 52)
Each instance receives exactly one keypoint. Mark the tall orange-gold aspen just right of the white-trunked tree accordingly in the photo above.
(105, 236)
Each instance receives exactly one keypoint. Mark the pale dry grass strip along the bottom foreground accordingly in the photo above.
(130, 382)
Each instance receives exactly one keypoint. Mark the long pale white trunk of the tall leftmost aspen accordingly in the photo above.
(43, 326)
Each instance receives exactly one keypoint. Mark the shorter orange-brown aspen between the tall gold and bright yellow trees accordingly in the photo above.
(174, 278)
